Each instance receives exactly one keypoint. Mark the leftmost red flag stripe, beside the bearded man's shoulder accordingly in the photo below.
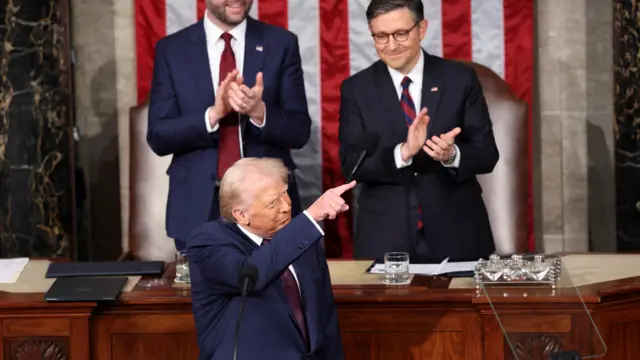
(150, 20)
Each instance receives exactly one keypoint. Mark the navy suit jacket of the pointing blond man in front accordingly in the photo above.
(217, 250)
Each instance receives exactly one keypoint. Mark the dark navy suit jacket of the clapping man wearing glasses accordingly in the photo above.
(456, 224)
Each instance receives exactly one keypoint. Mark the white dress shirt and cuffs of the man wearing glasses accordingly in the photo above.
(415, 90)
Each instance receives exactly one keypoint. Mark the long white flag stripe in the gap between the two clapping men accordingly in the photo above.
(303, 21)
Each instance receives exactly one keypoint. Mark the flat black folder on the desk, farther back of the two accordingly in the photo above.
(105, 268)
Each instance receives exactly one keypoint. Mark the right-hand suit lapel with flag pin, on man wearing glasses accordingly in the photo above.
(432, 90)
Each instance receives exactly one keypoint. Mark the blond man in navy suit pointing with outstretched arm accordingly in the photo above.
(291, 313)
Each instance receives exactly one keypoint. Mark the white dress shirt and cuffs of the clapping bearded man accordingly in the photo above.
(215, 46)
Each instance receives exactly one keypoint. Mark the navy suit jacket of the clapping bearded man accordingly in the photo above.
(181, 92)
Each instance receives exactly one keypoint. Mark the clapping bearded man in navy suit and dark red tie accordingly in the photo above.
(224, 88)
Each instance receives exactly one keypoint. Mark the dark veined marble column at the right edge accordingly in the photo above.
(627, 123)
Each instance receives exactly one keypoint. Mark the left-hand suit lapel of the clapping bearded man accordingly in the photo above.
(198, 59)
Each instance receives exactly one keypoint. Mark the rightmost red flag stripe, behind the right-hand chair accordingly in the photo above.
(519, 52)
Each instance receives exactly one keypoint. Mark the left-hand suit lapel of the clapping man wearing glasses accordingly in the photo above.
(387, 94)
